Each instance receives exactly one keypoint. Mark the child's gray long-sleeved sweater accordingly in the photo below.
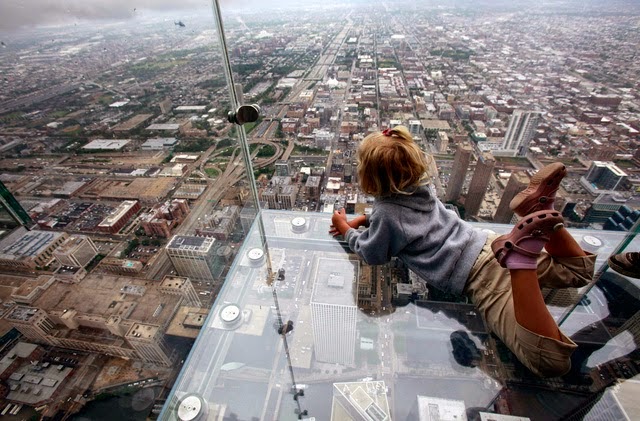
(431, 240)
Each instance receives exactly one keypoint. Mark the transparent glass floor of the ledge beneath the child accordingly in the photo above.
(336, 339)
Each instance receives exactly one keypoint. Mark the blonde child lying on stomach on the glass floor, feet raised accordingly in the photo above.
(502, 275)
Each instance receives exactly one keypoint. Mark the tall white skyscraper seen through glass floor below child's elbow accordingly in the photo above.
(333, 308)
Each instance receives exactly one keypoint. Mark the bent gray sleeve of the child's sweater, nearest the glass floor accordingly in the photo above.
(383, 239)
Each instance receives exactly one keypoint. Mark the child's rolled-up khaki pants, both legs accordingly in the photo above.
(489, 287)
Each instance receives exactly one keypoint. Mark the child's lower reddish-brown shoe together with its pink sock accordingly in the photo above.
(521, 247)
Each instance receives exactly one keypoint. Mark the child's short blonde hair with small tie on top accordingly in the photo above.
(390, 162)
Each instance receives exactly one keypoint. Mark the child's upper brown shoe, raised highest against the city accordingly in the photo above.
(541, 192)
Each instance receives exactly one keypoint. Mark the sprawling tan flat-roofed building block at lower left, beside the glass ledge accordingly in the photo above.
(119, 316)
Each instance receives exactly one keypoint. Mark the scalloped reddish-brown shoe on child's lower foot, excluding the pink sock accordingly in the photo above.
(539, 224)
